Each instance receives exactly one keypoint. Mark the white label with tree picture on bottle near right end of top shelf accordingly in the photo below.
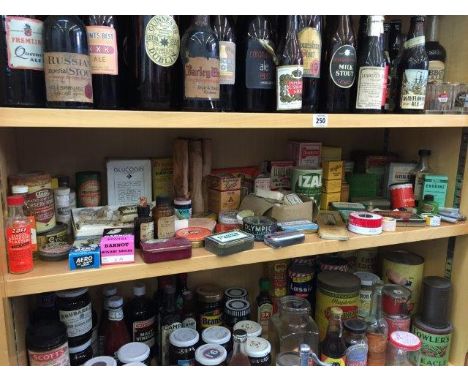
(413, 89)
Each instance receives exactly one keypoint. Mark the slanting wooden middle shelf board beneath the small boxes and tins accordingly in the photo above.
(51, 276)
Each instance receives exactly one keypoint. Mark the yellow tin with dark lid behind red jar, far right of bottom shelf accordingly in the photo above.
(406, 269)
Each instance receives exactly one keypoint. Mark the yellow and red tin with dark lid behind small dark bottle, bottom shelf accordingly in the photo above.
(339, 289)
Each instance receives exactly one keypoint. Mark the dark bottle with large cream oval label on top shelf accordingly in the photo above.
(154, 45)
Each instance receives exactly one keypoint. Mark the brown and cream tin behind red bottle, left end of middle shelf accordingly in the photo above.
(40, 198)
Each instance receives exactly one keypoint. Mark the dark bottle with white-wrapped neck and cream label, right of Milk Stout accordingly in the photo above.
(371, 77)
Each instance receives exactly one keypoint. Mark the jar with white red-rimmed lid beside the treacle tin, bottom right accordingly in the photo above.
(404, 349)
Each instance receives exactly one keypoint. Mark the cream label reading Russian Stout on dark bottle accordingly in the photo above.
(68, 77)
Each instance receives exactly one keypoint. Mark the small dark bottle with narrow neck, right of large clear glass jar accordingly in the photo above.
(333, 346)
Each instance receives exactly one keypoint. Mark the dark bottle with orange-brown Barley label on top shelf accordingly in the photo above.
(200, 57)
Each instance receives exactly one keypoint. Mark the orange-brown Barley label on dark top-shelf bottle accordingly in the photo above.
(202, 78)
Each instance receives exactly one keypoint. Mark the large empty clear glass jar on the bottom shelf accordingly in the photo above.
(292, 326)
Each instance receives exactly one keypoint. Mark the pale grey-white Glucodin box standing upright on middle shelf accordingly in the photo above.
(127, 180)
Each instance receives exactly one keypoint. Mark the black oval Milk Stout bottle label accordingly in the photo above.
(343, 66)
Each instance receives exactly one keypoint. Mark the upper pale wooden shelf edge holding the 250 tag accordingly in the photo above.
(75, 118)
